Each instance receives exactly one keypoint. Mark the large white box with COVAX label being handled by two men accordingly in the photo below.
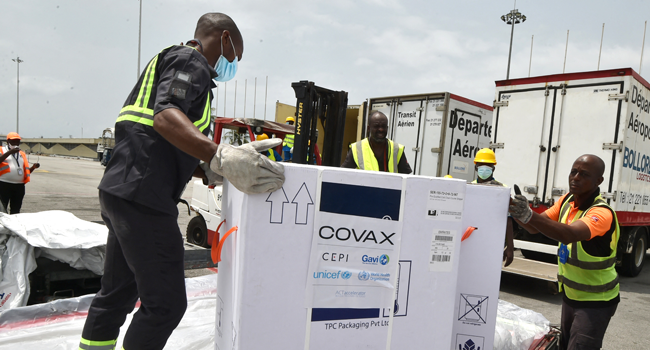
(267, 286)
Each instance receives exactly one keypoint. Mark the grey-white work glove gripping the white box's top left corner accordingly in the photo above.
(247, 169)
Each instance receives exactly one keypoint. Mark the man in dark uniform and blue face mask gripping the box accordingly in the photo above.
(160, 139)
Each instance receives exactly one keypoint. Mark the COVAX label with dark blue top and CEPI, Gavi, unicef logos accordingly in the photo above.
(356, 242)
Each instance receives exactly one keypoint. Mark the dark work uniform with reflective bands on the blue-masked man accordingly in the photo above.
(138, 194)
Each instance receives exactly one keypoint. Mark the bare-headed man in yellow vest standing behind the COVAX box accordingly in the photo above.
(376, 152)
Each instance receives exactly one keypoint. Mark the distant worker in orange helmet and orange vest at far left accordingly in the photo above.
(15, 172)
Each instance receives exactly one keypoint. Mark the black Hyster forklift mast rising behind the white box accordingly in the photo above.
(313, 103)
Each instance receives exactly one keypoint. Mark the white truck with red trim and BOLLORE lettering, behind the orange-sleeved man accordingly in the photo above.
(542, 124)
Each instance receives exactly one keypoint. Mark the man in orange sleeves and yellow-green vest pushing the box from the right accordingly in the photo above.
(587, 230)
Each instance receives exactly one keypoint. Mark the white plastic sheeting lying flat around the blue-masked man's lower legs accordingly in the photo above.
(57, 325)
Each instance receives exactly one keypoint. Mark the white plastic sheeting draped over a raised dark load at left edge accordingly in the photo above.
(57, 235)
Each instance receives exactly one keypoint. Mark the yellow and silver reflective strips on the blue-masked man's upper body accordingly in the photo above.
(140, 111)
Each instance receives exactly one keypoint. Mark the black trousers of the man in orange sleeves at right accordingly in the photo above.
(584, 328)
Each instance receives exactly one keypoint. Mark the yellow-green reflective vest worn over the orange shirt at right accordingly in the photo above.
(584, 277)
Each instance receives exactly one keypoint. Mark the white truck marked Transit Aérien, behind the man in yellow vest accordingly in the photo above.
(441, 132)
